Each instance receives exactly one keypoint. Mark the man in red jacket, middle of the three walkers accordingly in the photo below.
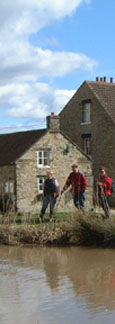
(79, 185)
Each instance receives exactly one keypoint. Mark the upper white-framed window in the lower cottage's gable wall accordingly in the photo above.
(43, 158)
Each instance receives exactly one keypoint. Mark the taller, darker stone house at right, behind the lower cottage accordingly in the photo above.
(89, 120)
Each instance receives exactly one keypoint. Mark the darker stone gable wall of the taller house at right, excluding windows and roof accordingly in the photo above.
(101, 128)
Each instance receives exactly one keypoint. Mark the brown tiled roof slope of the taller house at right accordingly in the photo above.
(105, 93)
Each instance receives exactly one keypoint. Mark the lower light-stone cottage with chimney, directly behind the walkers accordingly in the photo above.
(27, 156)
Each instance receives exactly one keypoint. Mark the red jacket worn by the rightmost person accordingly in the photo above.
(106, 184)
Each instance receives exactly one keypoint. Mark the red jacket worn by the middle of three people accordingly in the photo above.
(78, 181)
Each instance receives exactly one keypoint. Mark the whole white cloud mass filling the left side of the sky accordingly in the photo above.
(22, 93)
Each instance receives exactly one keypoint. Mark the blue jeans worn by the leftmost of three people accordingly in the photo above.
(46, 202)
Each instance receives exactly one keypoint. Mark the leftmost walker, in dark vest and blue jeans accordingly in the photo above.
(50, 194)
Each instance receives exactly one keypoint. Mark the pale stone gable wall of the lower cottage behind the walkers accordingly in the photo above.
(60, 162)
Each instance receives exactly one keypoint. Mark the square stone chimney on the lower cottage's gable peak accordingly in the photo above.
(53, 123)
